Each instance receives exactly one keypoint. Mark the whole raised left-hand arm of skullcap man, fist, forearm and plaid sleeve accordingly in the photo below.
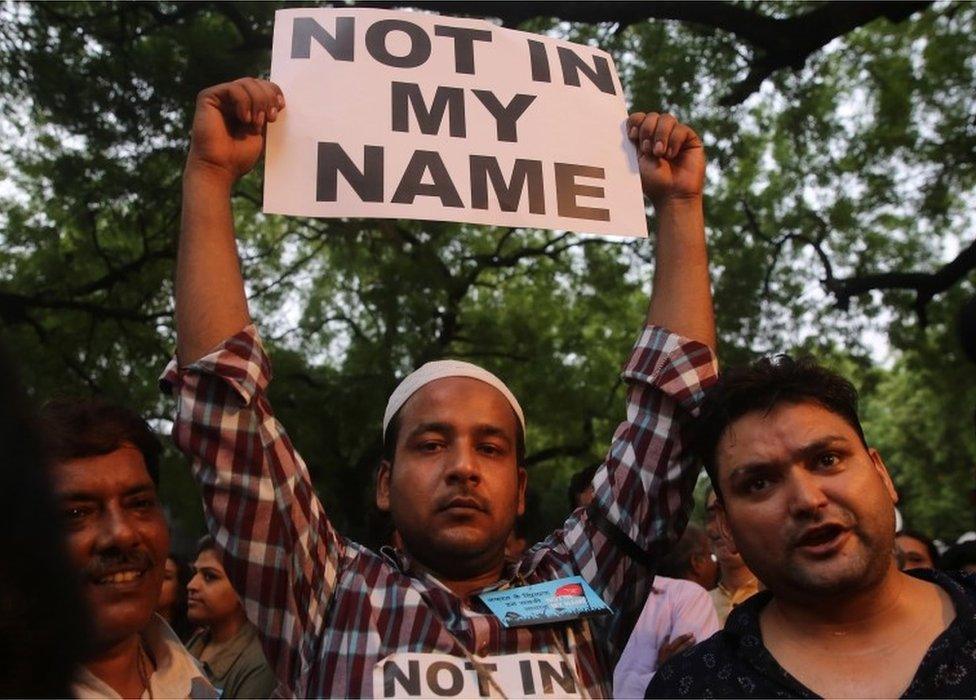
(278, 546)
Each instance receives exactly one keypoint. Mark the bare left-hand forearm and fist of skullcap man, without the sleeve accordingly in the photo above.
(227, 140)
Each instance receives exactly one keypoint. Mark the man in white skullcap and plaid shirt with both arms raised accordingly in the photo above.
(338, 619)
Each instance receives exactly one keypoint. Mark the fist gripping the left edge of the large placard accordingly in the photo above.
(229, 124)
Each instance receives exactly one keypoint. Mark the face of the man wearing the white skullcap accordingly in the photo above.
(455, 488)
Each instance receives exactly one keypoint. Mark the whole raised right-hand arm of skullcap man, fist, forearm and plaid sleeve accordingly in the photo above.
(642, 493)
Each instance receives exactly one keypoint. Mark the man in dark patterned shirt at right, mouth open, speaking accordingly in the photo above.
(811, 509)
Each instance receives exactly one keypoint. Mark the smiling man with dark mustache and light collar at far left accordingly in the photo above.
(104, 473)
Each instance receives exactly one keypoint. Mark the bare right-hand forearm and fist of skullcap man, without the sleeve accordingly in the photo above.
(672, 167)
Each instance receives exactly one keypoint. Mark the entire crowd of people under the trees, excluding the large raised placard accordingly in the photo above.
(797, 585)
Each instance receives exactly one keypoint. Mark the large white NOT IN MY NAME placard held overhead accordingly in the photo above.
(417, 116)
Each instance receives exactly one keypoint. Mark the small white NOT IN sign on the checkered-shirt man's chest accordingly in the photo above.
(528, 675)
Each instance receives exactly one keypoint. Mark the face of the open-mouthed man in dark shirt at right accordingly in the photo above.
(809, 508)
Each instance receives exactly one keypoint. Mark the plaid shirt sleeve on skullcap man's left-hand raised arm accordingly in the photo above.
(279, 548)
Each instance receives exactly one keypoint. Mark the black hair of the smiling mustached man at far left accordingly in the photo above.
(72, 428)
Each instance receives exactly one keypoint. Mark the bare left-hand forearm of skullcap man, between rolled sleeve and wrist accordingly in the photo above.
(210, 301)
